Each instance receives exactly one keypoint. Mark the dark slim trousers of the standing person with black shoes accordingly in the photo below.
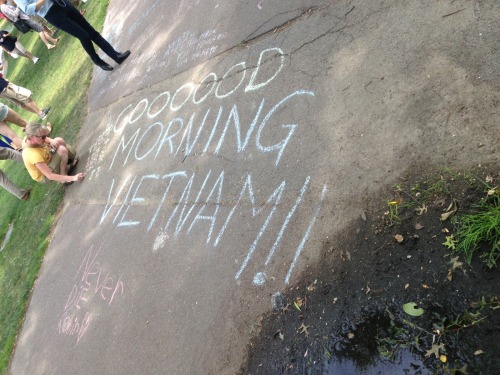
(69, 19)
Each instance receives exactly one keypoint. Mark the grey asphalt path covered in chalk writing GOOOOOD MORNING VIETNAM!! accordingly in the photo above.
(221, 156)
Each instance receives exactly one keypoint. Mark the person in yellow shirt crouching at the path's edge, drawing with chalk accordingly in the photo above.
(48, 159)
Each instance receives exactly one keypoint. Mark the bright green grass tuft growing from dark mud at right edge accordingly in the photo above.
(481, 226)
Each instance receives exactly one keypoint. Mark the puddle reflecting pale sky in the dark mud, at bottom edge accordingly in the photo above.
(405, 362)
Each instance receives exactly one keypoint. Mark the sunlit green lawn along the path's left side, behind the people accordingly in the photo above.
(60, 79)
